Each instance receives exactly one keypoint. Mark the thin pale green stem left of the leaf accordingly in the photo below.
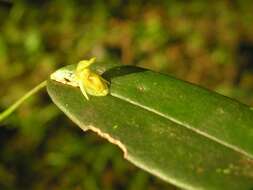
(14, 106)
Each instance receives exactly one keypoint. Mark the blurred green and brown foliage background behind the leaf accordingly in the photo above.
(209, 43)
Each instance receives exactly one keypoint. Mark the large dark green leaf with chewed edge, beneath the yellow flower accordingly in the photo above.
(184, 134)
